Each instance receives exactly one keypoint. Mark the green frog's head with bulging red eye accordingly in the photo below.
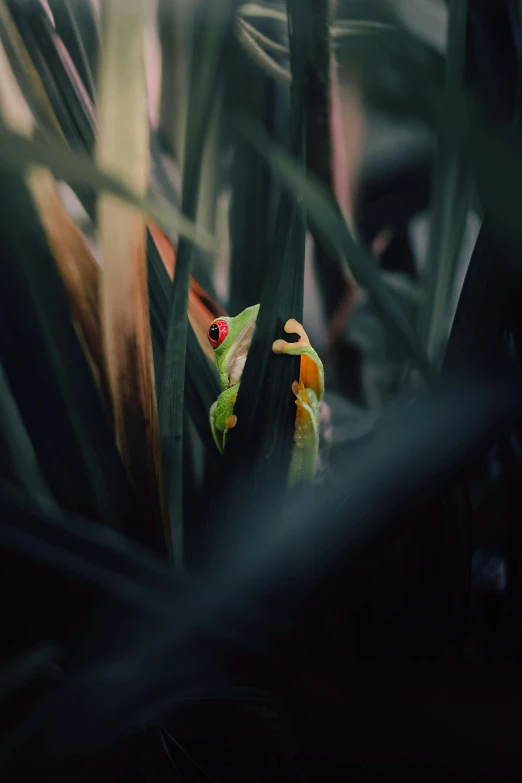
(230, 339)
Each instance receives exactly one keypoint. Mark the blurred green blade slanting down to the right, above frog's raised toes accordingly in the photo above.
(326, 218)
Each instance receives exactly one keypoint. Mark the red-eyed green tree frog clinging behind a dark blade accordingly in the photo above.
(231, 338)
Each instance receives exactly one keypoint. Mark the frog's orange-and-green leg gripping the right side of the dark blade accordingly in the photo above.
(309, 391)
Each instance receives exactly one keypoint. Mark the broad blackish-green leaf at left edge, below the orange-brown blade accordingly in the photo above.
(48, 373)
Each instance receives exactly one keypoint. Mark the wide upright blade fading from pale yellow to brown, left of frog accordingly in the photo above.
(123, 147)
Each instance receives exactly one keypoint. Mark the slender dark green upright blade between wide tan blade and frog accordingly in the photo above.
(212, 30)
